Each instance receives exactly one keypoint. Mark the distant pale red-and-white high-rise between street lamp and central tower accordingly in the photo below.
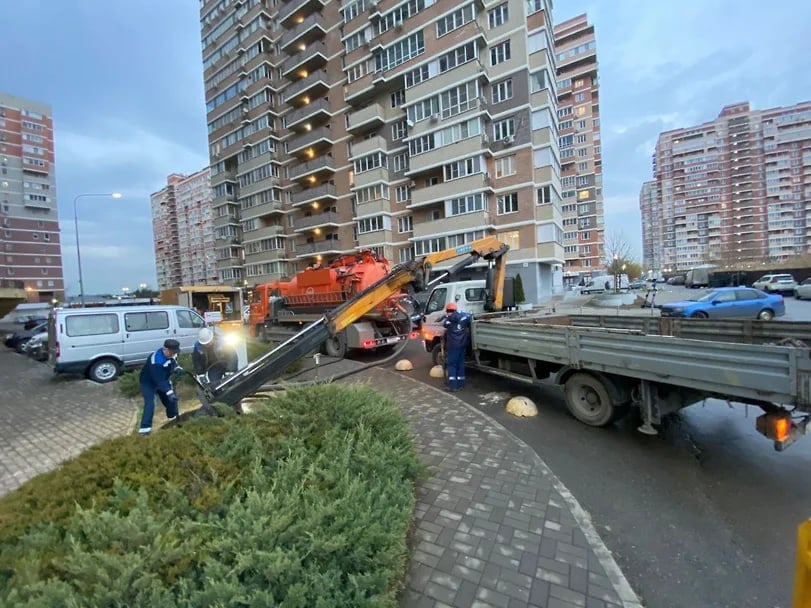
(183, 228)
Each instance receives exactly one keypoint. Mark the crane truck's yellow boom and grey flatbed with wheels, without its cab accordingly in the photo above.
(605, 369)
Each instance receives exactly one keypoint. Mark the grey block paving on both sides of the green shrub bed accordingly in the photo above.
(494, 526)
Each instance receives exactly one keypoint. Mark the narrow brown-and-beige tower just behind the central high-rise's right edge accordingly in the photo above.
(580, 149)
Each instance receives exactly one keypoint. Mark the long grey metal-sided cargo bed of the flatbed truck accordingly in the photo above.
(698, 357)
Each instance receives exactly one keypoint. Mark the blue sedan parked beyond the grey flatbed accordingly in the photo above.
(729, 303)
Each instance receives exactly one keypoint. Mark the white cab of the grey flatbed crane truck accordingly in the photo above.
(469, 296)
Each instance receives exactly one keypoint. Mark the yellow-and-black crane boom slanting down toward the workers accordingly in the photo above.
(410, 277)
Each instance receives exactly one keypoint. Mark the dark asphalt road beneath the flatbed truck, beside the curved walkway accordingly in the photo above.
(702, 515)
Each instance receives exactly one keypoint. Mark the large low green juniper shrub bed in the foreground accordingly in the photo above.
(304, 503)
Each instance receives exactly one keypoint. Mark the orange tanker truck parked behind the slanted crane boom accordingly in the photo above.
(280, 309)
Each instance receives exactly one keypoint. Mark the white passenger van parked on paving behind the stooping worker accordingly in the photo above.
(101, 342)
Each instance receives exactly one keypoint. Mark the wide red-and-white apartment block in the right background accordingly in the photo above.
(733, 191)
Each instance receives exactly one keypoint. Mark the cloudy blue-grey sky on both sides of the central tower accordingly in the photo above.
(125, 83)
